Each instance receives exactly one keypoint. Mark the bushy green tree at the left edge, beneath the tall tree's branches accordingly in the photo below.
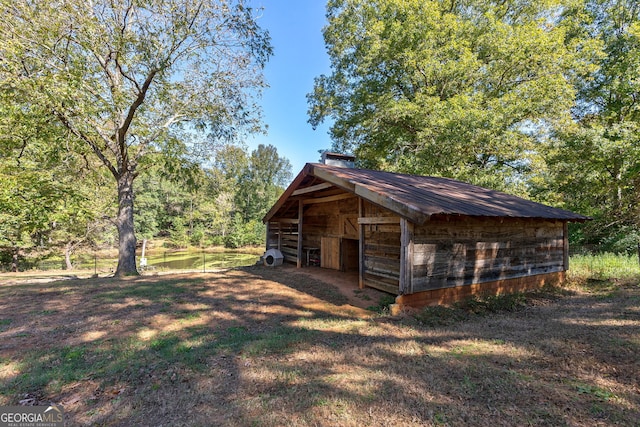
(36, 192)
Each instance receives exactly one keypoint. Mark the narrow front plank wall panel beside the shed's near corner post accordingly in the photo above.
(381, 246)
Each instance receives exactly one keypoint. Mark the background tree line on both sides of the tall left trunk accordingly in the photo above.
(220, 203)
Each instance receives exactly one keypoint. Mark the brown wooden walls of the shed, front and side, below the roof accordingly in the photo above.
(403, 258)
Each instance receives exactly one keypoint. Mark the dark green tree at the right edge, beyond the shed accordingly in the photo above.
(596, 163)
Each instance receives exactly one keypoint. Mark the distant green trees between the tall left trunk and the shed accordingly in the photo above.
(222, 204)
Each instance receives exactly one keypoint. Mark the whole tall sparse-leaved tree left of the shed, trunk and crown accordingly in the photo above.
(128, 78)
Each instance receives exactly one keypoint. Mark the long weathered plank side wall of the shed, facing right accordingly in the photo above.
(463, 251)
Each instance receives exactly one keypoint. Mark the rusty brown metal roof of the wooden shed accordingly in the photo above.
(419, 197)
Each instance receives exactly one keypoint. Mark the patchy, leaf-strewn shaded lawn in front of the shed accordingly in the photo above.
(271, 347)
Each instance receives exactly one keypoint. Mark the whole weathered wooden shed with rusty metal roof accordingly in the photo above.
(427, 240)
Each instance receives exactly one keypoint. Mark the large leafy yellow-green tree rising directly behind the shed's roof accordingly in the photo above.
(442, 87)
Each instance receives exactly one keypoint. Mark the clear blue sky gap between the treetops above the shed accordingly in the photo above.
(299, 56)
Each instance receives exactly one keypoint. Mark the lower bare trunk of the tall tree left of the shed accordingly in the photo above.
(124, 223)
